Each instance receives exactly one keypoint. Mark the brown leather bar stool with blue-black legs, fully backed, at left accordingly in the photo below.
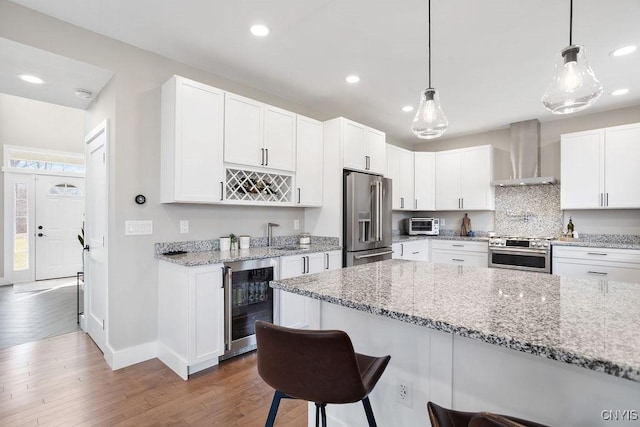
(316, 366)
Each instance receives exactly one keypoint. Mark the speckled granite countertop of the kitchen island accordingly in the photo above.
(582, 322)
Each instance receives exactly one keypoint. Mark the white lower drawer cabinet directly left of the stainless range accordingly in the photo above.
(460, 252)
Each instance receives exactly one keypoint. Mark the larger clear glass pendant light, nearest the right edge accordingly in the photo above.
(574, 86)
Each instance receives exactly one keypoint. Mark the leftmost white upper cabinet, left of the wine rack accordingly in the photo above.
(192, 132)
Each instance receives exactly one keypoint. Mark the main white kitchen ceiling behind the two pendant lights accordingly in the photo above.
(491, 59)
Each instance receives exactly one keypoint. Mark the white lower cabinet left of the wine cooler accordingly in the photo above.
(190, 317)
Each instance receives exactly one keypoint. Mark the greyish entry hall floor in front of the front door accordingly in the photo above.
(34, 315)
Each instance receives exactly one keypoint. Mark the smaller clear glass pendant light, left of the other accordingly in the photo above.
(430, 121)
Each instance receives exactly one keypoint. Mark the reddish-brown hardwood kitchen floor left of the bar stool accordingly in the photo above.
(65, 381)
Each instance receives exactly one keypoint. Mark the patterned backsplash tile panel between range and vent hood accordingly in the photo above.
(528, 211)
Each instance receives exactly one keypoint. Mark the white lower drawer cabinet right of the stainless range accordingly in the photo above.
(597, 263)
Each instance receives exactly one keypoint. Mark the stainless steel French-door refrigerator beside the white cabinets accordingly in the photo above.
(366, 231)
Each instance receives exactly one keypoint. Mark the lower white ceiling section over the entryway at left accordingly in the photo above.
(62, 75)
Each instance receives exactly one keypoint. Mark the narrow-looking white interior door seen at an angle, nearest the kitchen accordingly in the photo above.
(96, 224)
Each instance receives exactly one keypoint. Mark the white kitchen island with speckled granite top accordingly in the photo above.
(557, 350)
